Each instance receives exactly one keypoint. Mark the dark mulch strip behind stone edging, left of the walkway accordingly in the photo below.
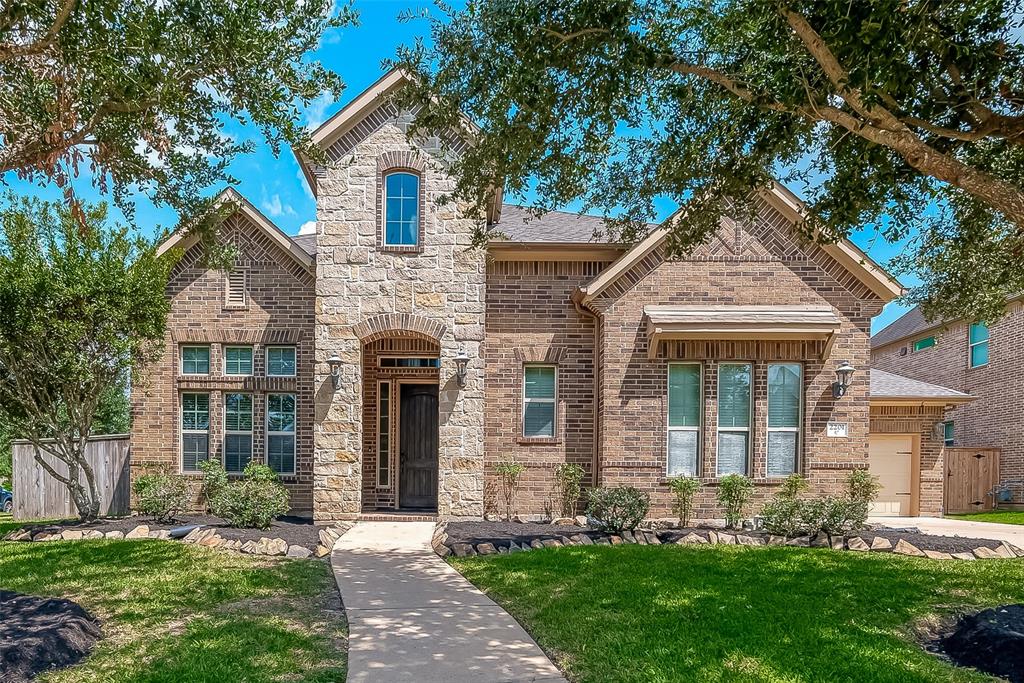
(295, 531)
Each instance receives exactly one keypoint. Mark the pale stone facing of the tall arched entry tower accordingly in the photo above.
(366, 292)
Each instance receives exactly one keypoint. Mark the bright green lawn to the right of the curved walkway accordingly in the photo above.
(658, 614)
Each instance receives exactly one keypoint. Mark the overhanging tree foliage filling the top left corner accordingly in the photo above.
(139, 93)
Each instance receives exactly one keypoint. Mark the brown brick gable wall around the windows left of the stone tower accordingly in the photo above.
(279, 311)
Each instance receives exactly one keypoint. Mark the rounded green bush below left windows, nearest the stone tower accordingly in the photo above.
(254, 502)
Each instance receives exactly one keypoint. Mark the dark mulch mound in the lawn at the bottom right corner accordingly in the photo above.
(992, 641)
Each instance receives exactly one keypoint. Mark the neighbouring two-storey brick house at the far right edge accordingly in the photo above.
(973, 358)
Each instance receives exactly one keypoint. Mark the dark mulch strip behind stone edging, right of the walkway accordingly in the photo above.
(502, 535)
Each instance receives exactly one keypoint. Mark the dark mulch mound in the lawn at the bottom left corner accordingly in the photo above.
(41, 634)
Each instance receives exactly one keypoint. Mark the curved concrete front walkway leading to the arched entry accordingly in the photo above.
(414, 619)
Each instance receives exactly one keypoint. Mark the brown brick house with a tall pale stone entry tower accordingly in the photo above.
(388, 364)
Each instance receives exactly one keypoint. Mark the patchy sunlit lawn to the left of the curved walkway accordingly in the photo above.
(178, 613)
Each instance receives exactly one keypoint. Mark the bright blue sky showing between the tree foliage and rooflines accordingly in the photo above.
(277, 186)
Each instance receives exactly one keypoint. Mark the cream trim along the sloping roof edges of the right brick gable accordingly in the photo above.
(857, 262)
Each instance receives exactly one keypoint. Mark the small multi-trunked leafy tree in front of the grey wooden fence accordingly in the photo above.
(83, 306)
